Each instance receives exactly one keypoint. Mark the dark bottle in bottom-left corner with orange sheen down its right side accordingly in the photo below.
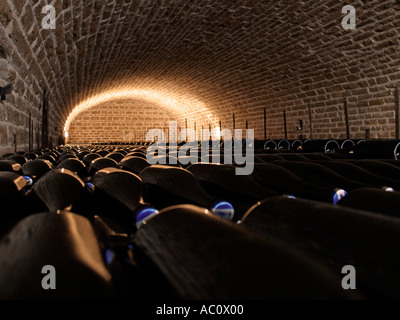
(63, 247)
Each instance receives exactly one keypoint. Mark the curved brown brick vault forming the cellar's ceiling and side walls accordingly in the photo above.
(233, 56)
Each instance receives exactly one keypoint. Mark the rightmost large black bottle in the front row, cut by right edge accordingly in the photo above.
(339, 236)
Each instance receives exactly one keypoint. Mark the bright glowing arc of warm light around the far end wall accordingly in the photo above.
(180, 104)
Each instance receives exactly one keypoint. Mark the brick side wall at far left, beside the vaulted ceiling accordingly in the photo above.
(24, 66)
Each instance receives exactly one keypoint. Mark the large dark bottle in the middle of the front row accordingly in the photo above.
(201, 256)
